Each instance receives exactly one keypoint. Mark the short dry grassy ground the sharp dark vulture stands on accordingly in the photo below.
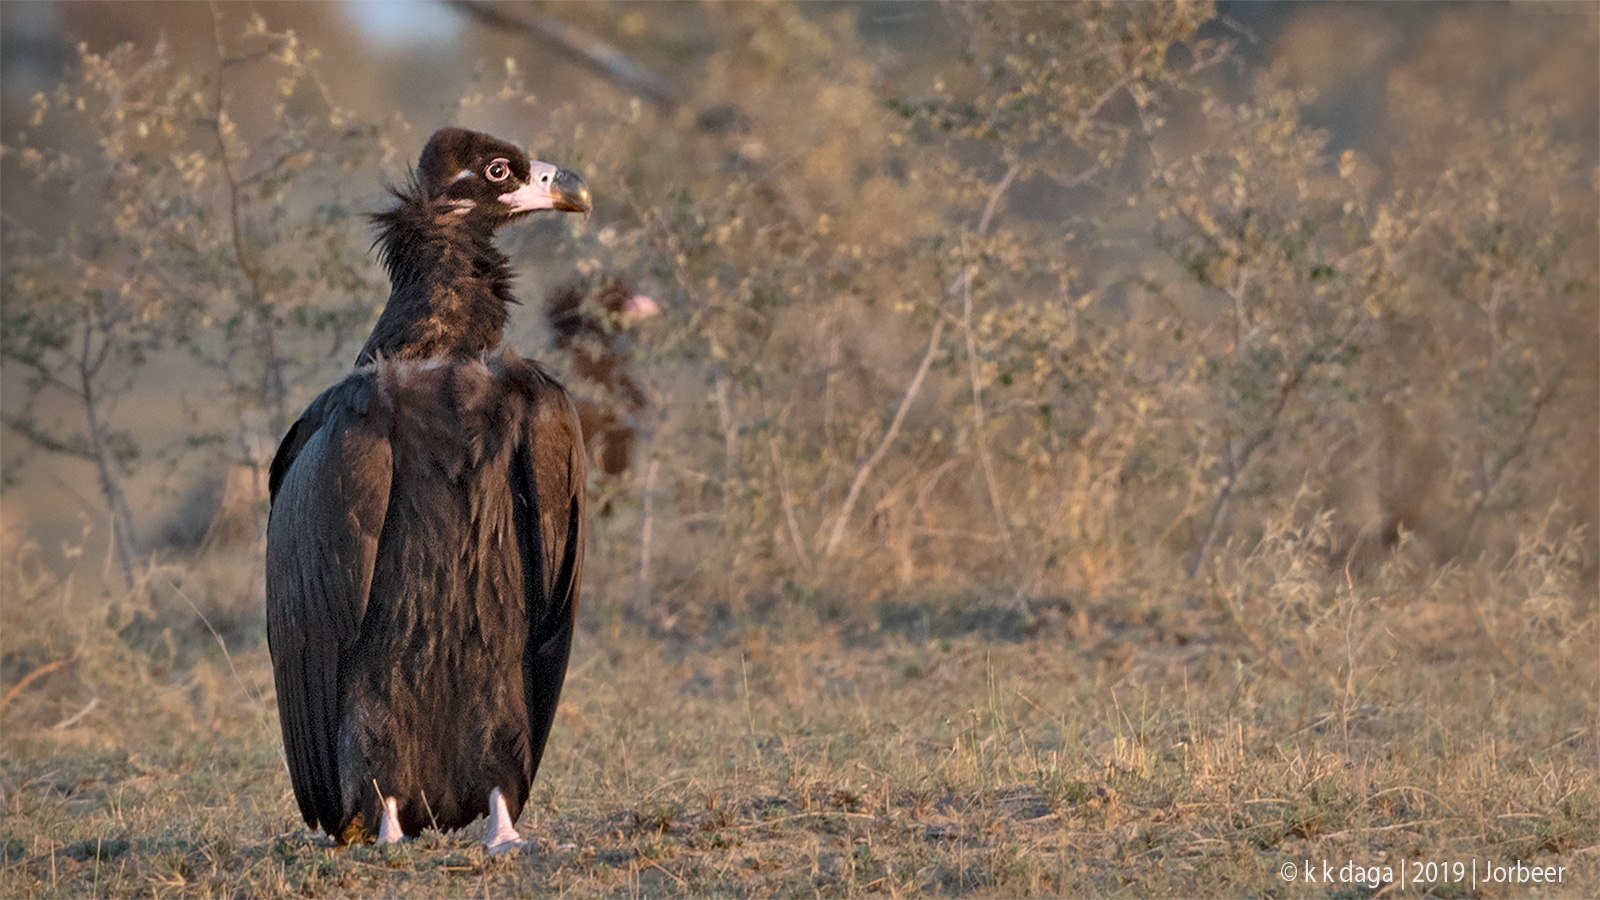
(1138, 744)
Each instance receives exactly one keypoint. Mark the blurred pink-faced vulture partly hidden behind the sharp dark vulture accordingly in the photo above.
(591, 332)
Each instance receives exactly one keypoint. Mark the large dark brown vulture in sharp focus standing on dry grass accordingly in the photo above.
(426, 534)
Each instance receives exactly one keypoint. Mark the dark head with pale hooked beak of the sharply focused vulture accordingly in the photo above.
(492, 182)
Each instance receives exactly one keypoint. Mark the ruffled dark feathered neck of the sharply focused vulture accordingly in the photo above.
(449, 286)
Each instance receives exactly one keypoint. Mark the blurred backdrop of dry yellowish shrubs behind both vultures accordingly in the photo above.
(1042, 303)
